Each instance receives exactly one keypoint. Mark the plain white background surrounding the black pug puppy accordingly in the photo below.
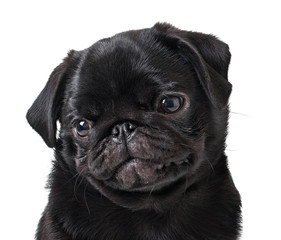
(36, 35)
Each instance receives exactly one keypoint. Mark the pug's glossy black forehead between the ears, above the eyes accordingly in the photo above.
(133, 67)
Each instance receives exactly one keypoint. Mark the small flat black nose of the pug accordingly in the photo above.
(125, 130)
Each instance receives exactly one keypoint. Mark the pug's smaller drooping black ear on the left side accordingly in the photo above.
(45, 111)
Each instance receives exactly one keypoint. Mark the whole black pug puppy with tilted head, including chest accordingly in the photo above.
(140, 152)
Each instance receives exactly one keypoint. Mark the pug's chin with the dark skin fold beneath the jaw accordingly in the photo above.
(159, 188)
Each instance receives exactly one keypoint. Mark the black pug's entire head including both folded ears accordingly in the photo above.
(140, 113)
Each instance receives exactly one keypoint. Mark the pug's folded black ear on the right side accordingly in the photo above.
(209, 56)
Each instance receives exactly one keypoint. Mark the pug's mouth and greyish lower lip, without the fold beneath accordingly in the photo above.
(142, 175)
